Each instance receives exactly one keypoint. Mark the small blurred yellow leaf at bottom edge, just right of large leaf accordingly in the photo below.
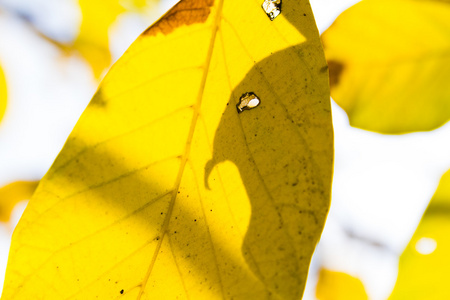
(339, 286)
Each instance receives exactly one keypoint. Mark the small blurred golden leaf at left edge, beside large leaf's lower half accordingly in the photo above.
(12, 194)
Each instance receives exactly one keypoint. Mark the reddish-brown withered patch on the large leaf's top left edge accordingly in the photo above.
(186, 12)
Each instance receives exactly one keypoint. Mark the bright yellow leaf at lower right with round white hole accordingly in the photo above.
(424, 265)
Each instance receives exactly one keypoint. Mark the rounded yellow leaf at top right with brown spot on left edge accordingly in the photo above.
(390, 64)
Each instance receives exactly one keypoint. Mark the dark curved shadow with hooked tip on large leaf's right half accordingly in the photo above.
(283, 150)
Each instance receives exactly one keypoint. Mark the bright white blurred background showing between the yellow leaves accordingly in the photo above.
(382, 184)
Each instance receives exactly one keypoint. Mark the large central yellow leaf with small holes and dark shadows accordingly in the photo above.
(164, 191)
